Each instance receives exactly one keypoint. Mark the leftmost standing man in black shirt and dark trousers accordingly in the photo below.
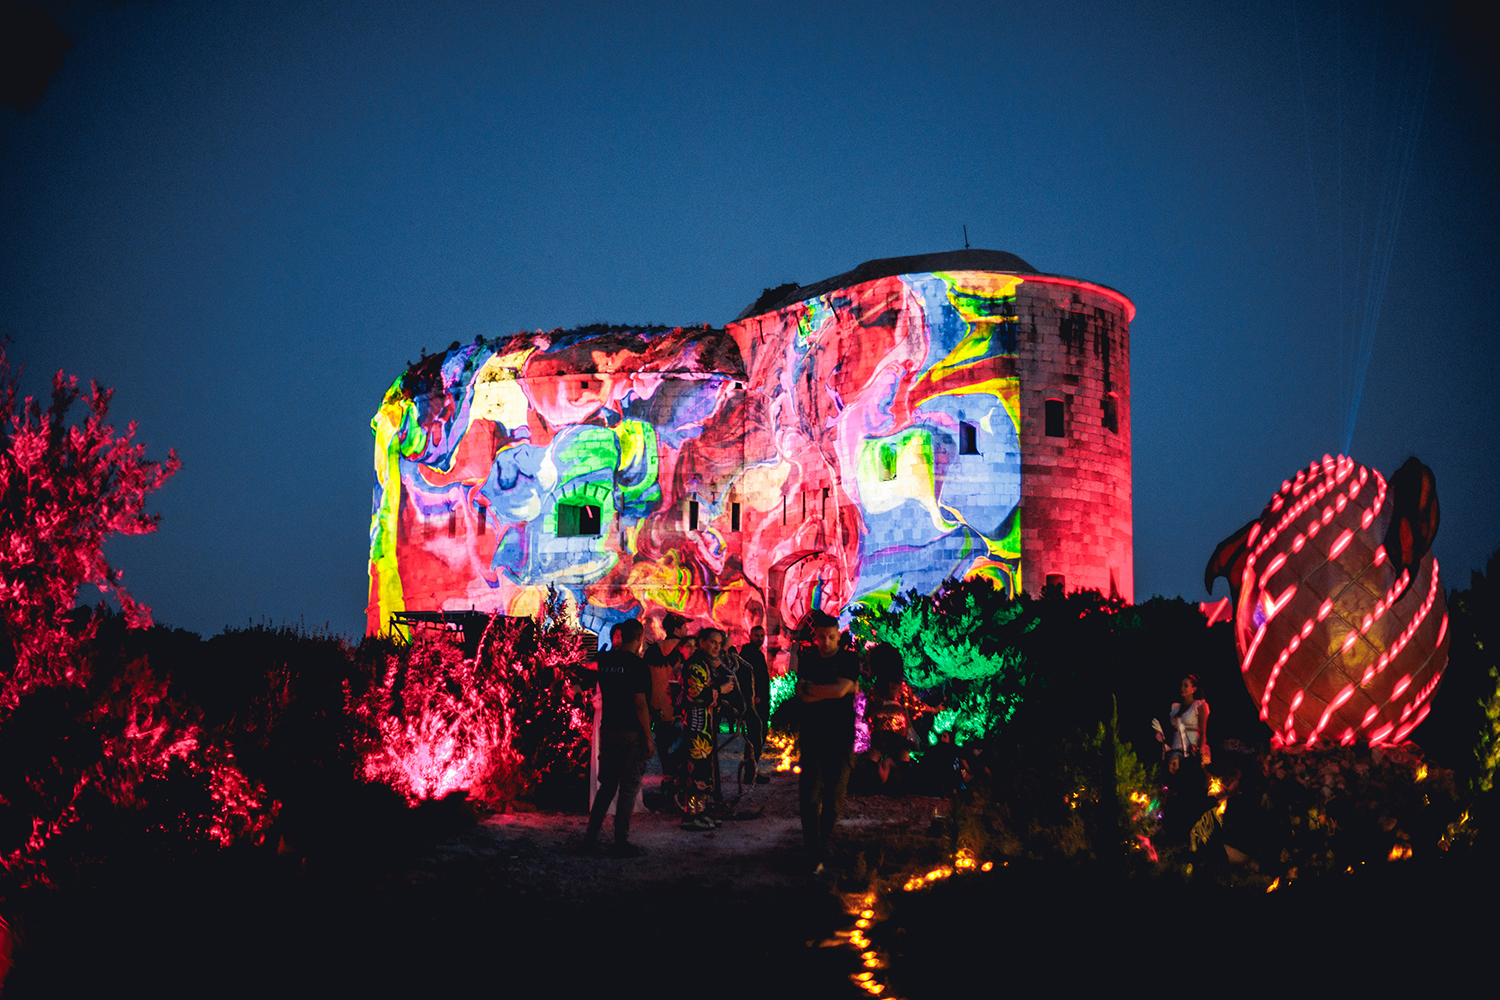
(625, 738)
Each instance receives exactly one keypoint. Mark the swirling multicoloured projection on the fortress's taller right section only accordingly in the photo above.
(889, 415)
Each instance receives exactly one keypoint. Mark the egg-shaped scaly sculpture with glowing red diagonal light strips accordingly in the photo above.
(1339, 612)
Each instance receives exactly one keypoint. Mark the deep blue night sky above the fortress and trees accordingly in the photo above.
(248, 221)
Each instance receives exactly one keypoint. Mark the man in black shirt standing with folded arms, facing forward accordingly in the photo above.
(826, 686)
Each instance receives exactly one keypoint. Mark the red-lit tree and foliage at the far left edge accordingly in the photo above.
(79, 722)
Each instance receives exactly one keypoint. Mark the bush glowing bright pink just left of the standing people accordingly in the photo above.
(494, 726)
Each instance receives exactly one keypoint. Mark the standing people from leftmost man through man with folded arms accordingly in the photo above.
(670, 698)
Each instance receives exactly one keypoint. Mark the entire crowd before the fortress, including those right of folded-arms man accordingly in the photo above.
(673, 698)
